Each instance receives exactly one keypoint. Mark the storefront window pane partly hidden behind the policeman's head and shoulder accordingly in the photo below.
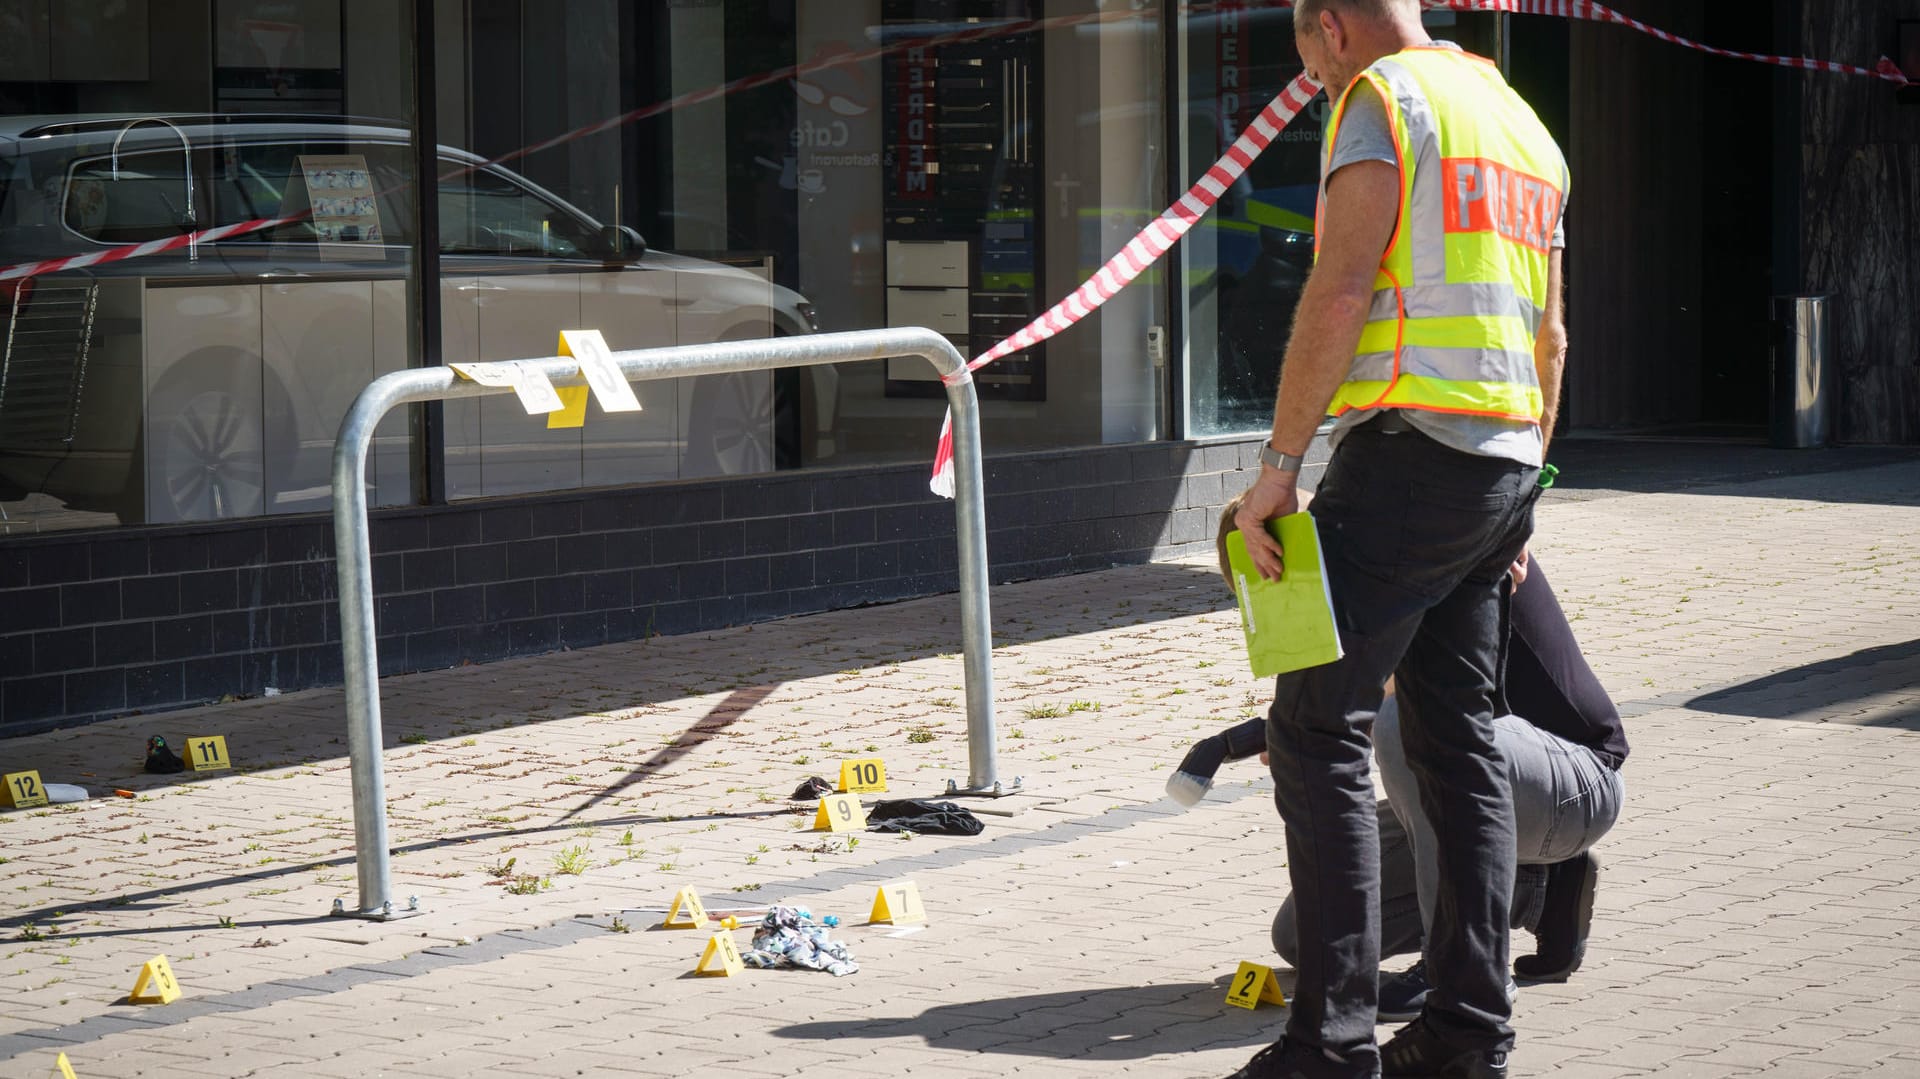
(1247, 264)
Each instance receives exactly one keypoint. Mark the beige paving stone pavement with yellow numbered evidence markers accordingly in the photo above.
(1760, 913)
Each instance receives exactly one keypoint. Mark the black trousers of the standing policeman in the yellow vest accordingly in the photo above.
(1418, 542)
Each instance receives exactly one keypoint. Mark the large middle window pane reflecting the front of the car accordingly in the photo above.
(949, 164)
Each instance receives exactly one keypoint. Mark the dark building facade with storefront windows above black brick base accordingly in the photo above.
(684, 172)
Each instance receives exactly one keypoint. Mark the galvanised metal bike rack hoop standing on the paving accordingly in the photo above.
(352, 544)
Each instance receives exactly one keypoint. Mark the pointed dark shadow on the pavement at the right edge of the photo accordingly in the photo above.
(1877, 688)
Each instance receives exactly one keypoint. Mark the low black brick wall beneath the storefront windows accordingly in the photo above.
(99, 625)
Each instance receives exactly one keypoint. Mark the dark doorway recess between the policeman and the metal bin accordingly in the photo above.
(1671, 222)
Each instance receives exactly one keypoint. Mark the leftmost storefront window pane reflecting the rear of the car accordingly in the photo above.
(204, 381)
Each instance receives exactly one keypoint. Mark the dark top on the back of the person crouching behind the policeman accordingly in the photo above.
(1548, 681)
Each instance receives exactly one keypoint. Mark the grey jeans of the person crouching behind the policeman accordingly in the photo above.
(1564, 802)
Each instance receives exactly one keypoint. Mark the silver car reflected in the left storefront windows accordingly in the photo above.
(210, 383)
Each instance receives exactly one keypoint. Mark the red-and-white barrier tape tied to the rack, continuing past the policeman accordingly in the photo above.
(1163, 233)
